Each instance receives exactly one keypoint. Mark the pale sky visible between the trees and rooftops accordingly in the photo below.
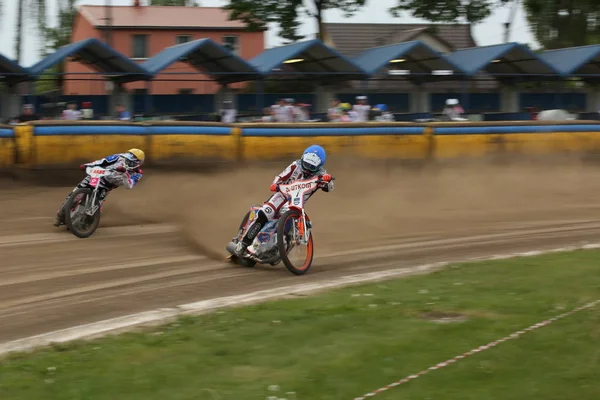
(489, 32)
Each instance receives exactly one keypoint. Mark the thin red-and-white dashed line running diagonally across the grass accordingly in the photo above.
(479, 349)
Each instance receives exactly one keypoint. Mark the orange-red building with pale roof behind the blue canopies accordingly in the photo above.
(140, 32)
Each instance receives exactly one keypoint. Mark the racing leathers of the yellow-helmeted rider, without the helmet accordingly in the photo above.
(121, 176)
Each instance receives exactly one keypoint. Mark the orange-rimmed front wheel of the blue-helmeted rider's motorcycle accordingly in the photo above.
(297, 258)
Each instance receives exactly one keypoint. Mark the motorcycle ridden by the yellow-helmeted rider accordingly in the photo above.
(82, 210)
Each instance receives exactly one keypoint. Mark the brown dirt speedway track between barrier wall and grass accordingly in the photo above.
(162, 243)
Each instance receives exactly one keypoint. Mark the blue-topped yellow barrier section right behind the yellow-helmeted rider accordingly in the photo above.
(68, 143)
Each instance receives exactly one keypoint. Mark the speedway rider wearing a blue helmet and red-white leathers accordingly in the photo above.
(309, 165)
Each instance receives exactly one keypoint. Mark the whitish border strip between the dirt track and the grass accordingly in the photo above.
(162, 315)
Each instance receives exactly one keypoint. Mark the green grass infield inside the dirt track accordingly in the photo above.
(343, 344)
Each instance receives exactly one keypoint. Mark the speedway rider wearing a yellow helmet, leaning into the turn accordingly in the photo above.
(127, 172)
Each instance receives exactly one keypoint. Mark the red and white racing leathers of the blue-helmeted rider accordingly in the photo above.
(270, 208)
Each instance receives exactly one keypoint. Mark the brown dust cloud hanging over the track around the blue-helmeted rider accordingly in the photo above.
(373, 203)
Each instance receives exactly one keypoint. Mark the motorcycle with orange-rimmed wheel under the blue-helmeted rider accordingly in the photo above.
(281, 239)
